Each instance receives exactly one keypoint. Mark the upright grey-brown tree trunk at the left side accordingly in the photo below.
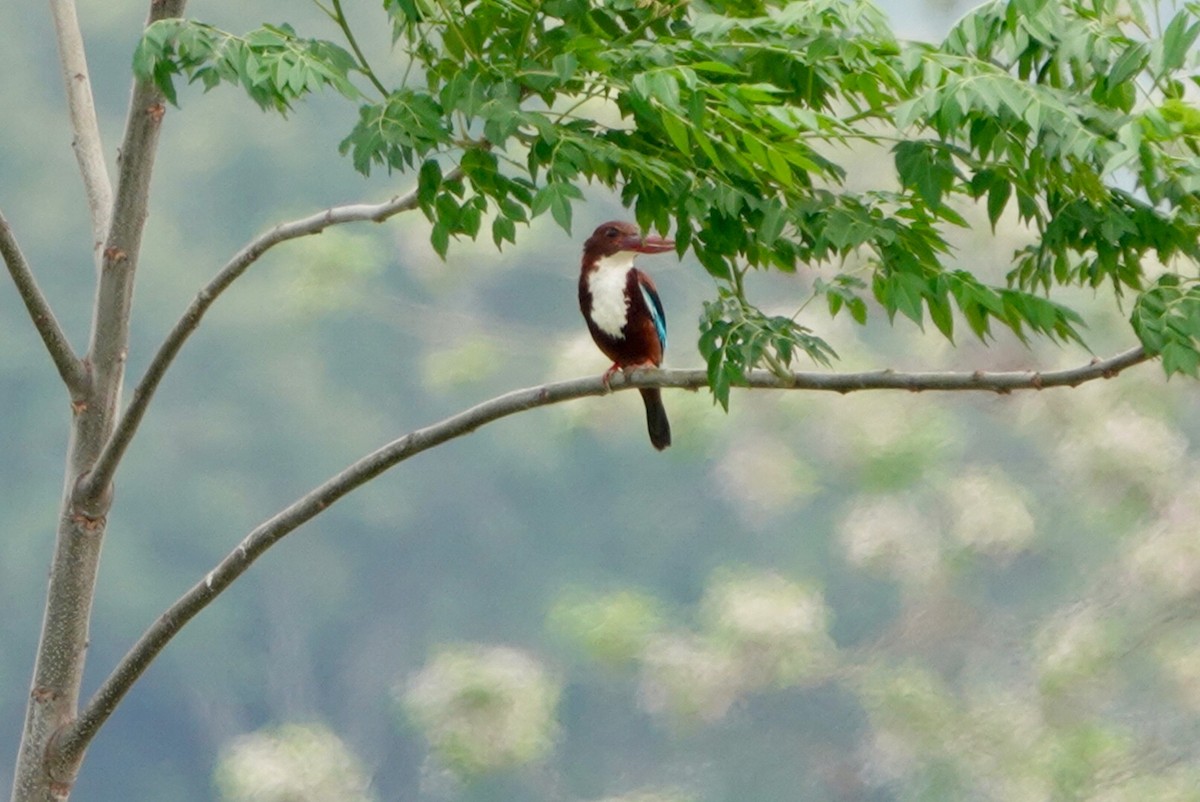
(45, 774)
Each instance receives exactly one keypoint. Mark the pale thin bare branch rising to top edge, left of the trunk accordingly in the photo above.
(85, 128)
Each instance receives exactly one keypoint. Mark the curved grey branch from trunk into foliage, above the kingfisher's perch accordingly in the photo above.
(106, 466)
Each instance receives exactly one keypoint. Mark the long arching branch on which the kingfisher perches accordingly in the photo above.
(76, 738)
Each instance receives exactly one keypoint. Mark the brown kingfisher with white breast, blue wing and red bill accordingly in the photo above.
(623, 312)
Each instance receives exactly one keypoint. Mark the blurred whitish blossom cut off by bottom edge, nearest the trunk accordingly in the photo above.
(295, 763)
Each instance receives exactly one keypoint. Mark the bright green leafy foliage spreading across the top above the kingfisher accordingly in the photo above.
(737, 124)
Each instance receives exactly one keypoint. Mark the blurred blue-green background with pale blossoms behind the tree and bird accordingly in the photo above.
(863, 597)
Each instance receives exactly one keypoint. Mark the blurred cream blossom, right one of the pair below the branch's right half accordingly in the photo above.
(988, 513)
